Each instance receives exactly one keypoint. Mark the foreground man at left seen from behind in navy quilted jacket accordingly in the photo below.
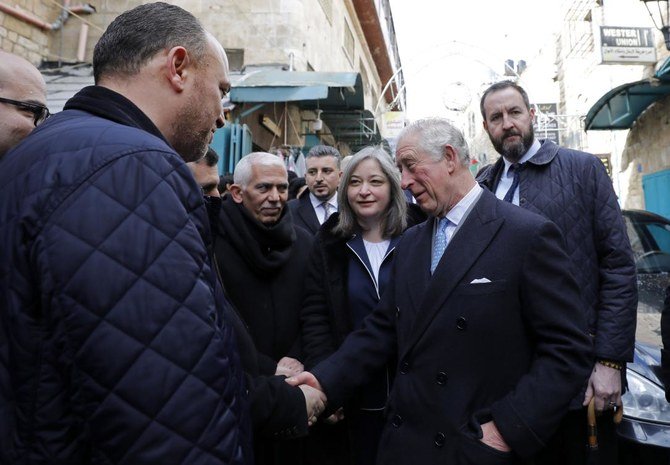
(115, 342)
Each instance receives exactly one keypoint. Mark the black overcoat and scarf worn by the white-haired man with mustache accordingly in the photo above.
(263, 273)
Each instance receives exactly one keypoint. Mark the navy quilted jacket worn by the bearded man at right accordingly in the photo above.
(572, 189)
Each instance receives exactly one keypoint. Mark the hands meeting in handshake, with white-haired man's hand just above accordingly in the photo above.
(315, 399)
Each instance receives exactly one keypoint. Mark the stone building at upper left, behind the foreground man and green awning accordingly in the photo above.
(296, 35)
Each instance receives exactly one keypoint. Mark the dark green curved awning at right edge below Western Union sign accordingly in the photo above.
(620, 107)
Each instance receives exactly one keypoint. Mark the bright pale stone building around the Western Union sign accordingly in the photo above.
(569, 72)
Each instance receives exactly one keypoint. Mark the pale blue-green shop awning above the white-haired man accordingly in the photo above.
(332, 90)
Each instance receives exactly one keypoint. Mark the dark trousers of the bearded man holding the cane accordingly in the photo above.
(568, 446)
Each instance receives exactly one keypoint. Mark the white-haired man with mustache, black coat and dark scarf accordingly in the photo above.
(262, 257)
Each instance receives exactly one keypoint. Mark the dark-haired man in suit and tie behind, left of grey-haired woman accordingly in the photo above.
(322, 176)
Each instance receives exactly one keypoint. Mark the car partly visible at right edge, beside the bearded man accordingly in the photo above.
(645, 430)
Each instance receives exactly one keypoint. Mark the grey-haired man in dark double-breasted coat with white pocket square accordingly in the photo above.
(483, 316)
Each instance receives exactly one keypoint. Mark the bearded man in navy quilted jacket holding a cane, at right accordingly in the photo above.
(572, 189)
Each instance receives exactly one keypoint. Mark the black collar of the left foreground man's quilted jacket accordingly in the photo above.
(106, 103)
